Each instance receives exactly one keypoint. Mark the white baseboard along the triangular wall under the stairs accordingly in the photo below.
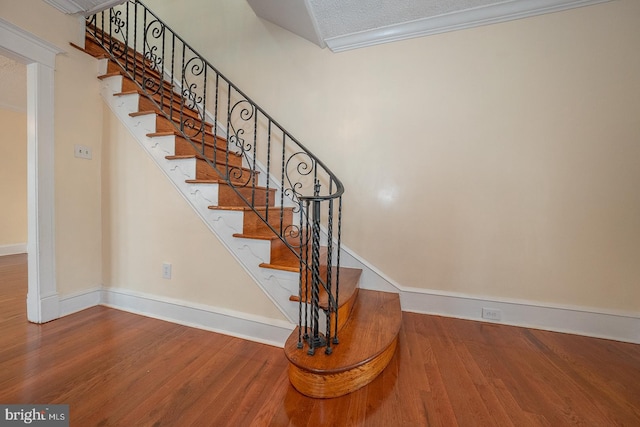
(242, 325)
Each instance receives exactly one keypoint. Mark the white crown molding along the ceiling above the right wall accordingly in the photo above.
(469, 18)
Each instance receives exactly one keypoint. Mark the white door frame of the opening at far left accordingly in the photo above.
(39, 55)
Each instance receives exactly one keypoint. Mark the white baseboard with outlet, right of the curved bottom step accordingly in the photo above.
(585, 321)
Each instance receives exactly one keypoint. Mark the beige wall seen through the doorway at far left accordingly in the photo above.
(13, 177)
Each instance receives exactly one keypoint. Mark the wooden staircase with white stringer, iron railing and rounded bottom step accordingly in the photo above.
(270, 201)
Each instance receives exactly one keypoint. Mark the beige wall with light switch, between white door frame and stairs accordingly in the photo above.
(78, 120)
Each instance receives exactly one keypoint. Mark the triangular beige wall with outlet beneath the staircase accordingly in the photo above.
(147, 223)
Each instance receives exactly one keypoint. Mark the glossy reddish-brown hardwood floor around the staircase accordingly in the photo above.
(119, 369)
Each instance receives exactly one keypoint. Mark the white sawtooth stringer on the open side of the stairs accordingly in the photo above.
(250, 253)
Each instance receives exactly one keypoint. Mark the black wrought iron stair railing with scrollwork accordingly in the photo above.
(277, 172)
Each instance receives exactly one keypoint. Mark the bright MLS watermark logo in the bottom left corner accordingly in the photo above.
(34, 415)
